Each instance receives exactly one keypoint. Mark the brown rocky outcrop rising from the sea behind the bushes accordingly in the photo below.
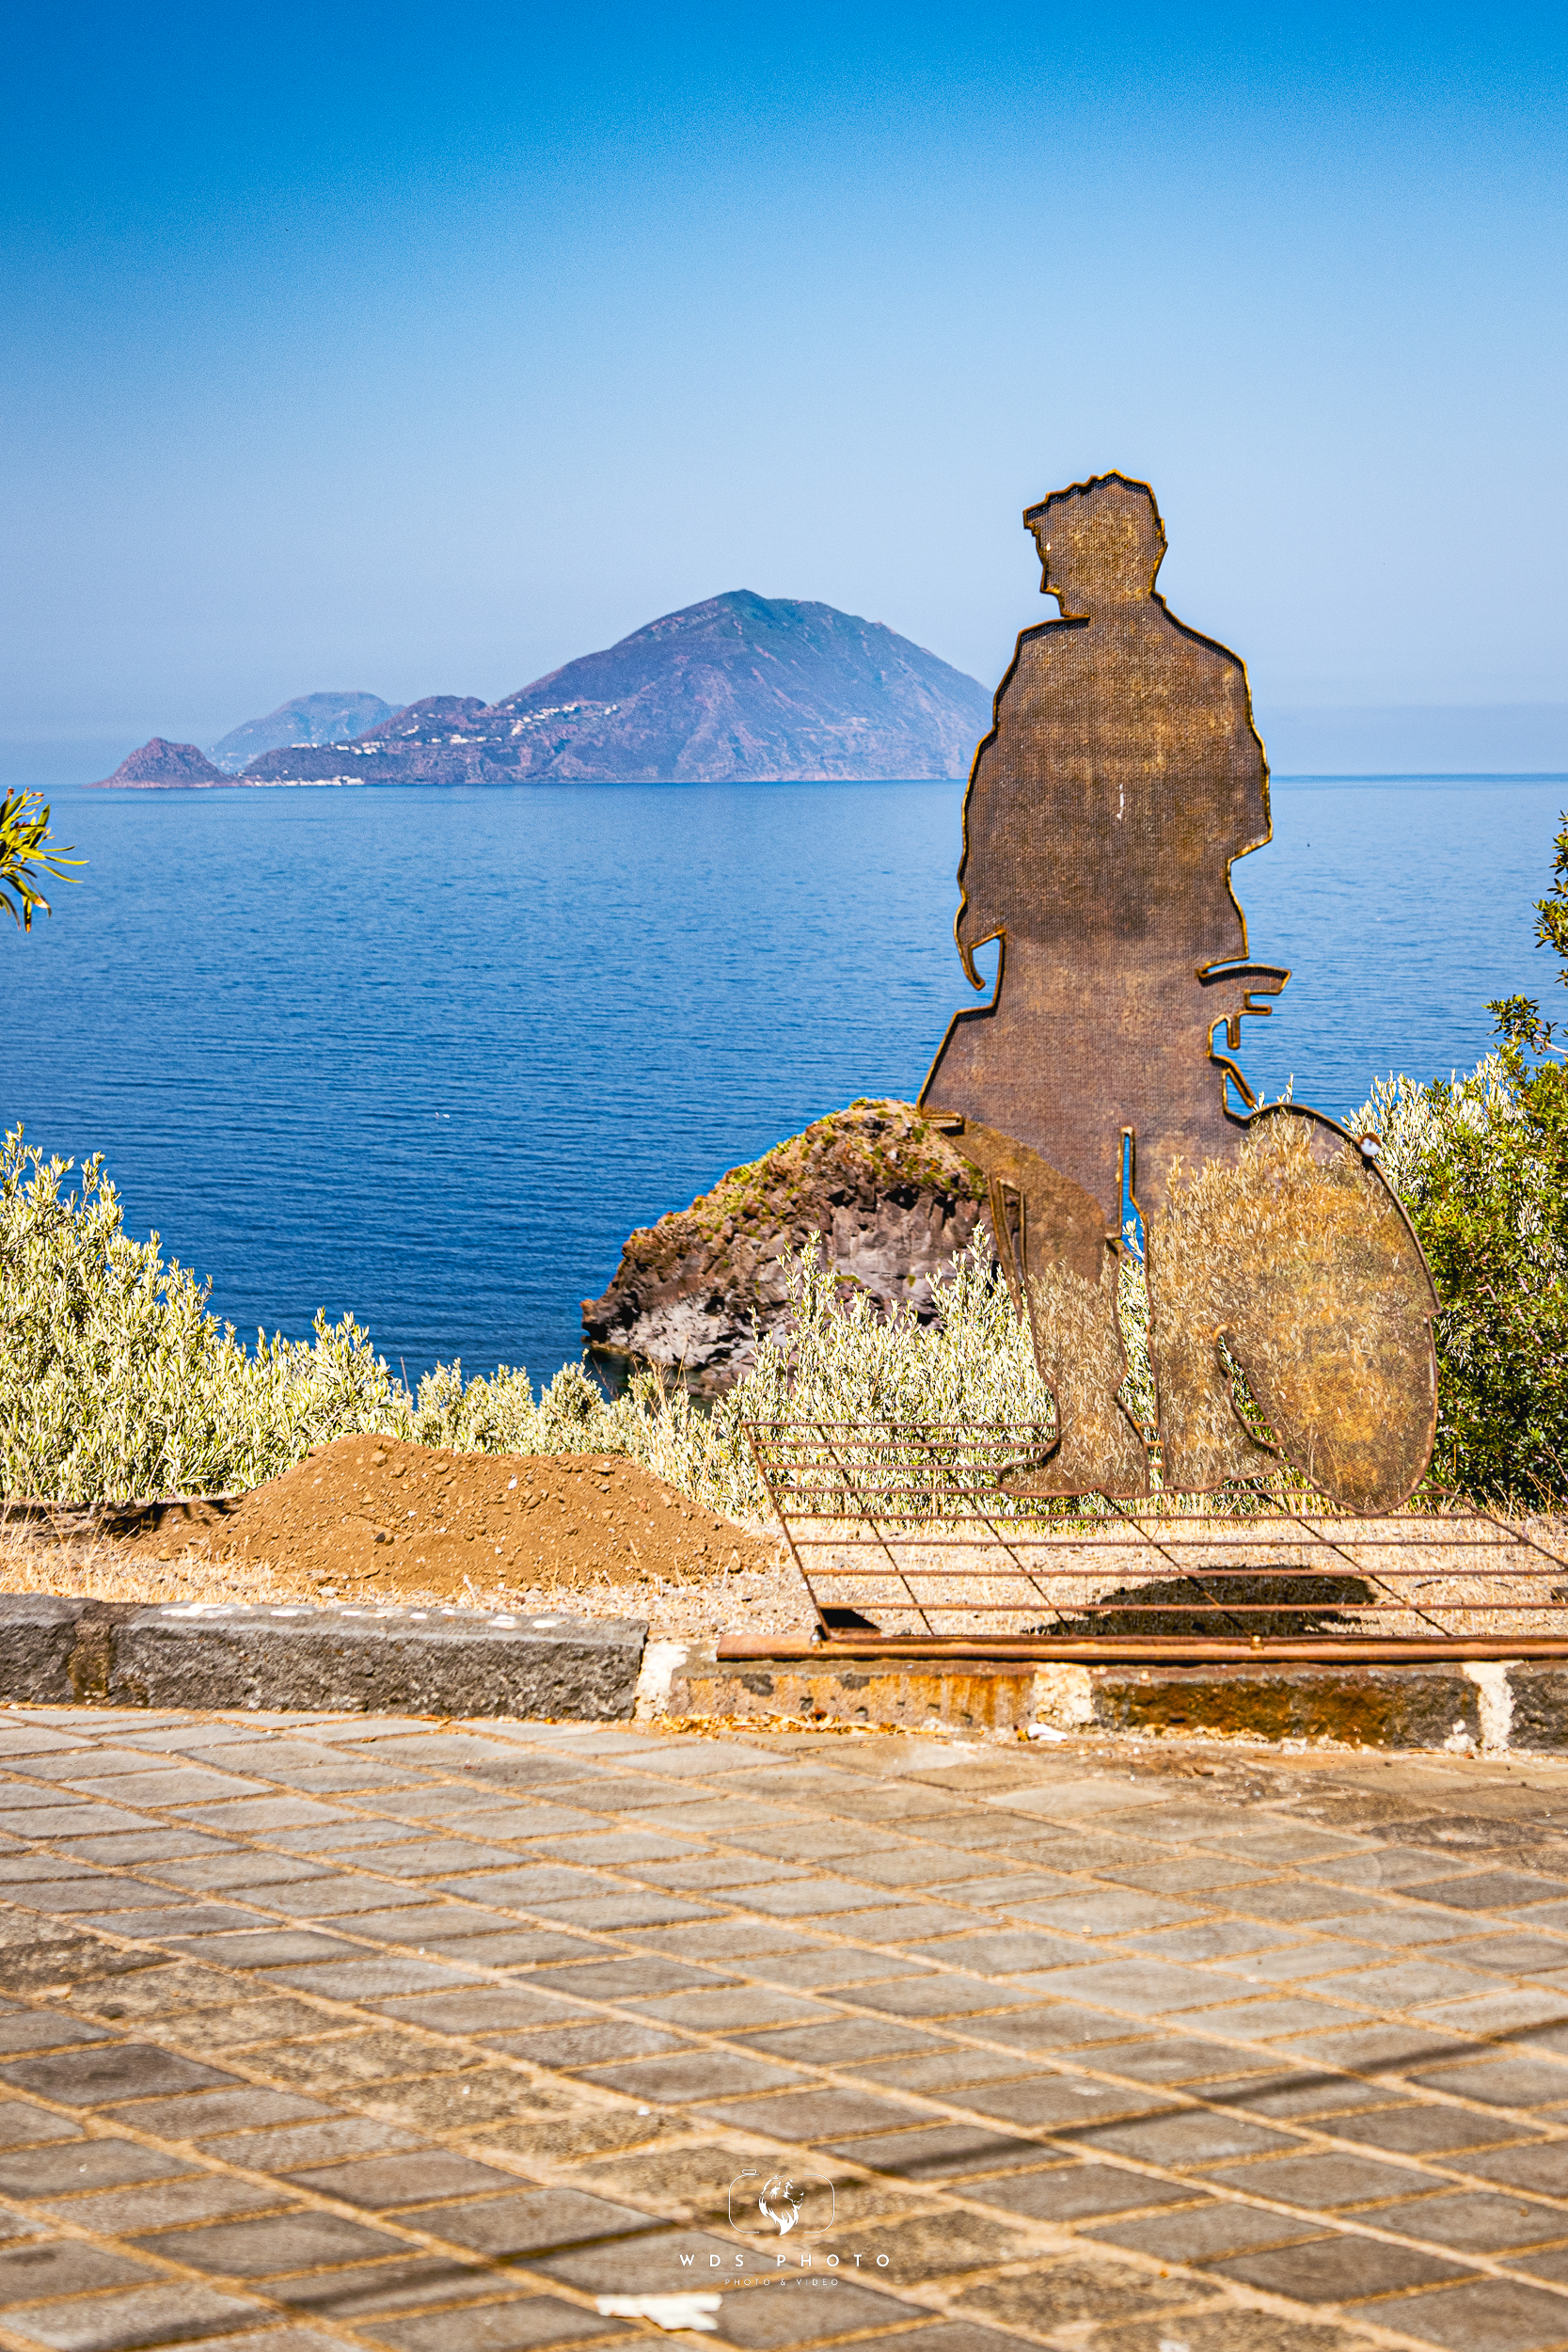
(890, 1198)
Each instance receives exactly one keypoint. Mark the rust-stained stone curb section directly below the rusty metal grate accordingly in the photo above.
(1459, 1709)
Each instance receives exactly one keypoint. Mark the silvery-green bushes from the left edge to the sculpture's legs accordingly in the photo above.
(116, 1379)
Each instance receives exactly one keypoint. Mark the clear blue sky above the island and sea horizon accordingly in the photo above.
(424, 349)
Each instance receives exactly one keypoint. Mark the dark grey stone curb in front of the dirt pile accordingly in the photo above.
(375, 1662)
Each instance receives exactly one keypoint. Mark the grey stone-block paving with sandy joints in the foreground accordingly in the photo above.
(490, 2038)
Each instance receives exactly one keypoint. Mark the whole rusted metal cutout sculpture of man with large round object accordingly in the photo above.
(1106, 808)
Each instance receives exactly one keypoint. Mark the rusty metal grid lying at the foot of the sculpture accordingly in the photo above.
(925, 1537)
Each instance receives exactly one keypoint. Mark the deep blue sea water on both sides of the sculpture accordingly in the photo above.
(431, 1055)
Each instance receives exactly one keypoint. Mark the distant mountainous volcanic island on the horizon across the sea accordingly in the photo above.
(737, 690)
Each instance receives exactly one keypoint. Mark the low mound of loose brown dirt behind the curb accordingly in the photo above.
(429, 1523)
